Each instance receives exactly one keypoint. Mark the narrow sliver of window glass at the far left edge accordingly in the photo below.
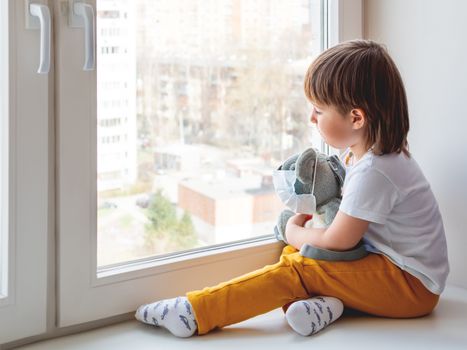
(3, 149)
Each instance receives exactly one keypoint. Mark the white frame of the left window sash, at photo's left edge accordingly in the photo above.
(25, 141)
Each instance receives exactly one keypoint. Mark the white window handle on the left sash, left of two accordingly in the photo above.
(43, 13)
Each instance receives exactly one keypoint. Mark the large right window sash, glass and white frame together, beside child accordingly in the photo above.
(187, 119)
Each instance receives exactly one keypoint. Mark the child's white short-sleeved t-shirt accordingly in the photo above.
(391, 192)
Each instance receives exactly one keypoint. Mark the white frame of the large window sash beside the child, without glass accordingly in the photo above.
(84, 296)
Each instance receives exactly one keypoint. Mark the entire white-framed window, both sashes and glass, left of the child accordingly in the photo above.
(137, 117)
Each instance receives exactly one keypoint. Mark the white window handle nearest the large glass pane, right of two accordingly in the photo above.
(83, 16)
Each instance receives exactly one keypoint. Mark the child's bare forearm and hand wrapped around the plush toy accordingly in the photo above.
(343, 234)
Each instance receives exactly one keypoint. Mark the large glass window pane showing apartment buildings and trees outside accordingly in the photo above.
(198, 101)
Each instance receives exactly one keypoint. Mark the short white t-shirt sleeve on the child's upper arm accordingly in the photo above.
(369, 195)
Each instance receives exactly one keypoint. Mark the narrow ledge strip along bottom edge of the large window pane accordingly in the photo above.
(184, 260)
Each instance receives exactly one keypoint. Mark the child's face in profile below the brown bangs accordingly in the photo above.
(338, 130)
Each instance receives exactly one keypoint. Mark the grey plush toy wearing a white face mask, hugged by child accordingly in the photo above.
(311, 183)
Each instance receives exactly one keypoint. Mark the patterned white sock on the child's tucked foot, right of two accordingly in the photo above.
(307, 317)
